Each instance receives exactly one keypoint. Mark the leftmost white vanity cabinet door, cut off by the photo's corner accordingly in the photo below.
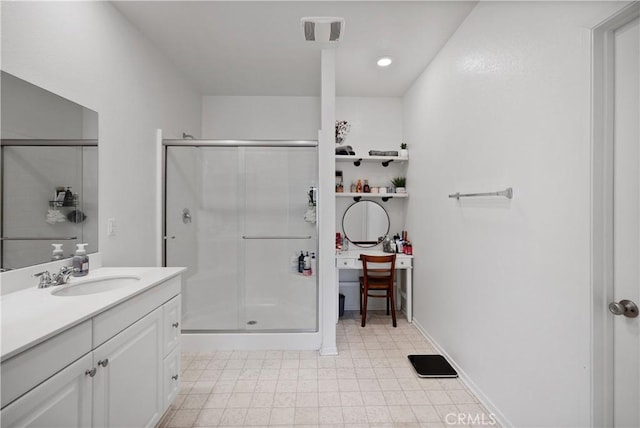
(62, 401)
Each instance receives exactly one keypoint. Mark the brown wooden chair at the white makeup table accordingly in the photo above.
(377, 276)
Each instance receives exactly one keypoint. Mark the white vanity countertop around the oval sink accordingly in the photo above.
(33, 315)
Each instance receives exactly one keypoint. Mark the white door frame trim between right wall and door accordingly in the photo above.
(602, 69)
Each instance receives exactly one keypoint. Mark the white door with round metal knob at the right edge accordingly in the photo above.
(626, 216)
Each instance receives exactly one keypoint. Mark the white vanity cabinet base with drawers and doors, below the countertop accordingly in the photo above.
(128, 378)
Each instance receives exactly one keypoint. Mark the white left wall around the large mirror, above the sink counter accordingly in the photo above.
(87, 52)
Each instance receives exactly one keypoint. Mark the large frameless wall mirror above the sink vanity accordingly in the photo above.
(49, 158)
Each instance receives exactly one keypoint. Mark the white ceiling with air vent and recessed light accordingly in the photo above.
(257, 48)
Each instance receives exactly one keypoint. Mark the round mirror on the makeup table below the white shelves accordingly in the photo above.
(365, 223)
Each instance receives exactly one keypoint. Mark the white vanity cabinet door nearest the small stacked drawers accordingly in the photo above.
(127, 385)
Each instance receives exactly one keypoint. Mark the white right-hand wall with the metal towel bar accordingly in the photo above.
(503, 286)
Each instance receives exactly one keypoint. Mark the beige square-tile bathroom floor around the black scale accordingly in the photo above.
(370, 384)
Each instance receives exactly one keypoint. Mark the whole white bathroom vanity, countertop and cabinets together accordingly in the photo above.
(101, 351)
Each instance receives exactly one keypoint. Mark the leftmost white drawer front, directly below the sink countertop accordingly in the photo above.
(29, 368)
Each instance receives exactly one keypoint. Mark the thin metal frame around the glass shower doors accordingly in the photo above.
(166, 144)
